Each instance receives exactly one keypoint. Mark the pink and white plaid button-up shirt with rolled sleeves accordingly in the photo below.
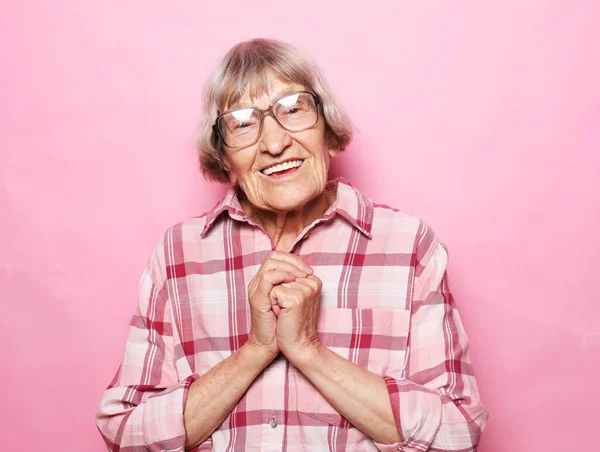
(385, 305)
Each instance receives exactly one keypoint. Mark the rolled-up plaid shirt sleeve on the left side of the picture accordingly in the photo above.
(142, 409)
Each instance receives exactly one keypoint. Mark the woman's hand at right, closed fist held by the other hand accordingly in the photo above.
(297, 323)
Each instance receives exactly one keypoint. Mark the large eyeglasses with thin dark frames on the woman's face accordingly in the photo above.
(294, 112)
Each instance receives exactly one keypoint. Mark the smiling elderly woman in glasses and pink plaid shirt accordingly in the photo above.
(296, 314)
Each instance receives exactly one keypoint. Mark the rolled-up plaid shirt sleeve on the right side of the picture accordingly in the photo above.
(436, 404)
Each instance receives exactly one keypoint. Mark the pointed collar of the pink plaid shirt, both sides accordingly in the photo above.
(350, 204)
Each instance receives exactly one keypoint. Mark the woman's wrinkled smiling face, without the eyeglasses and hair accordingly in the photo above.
(282, 171)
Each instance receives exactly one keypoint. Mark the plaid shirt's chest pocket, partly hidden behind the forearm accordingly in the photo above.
(373, 338)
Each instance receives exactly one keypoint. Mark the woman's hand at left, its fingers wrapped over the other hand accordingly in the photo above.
(279, 267)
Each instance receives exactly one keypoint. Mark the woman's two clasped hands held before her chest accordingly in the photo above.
(284, 303)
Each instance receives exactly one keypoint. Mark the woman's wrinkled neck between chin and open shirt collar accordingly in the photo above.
(284, 227)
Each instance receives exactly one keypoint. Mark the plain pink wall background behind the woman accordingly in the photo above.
(480, 117)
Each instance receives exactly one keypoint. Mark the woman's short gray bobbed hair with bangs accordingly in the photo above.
(244, 70)
